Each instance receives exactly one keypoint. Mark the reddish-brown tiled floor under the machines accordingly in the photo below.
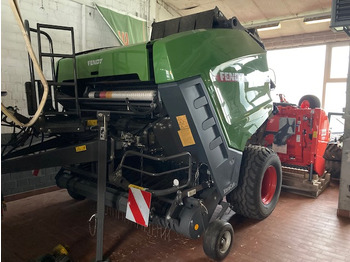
(300, 229)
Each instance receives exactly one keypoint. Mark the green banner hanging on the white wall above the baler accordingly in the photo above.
(128, 30)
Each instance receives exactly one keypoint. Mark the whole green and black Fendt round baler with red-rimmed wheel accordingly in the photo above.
(182, 111)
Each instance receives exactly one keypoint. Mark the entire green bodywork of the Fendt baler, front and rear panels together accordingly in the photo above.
(231, 63)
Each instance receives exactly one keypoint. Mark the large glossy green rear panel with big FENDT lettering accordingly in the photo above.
(234, 69)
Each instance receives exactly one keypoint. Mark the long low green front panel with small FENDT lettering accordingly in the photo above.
(116, 61)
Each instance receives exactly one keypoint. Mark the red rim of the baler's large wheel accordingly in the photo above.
(269, 184)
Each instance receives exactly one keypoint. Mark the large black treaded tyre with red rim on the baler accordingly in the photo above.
(259, 185)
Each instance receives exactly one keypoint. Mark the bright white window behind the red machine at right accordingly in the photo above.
(318, 70)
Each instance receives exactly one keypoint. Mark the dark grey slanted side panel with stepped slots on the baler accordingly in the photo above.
(191, 98)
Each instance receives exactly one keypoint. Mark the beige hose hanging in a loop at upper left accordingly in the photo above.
(16, 12)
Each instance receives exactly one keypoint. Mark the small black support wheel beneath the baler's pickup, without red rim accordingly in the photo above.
(218, 239)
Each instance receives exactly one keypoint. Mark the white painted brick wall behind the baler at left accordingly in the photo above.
(90, 32)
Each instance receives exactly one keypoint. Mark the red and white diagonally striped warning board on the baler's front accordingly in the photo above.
(139, 202)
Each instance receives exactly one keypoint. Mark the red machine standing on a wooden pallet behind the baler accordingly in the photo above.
(300, 134)
